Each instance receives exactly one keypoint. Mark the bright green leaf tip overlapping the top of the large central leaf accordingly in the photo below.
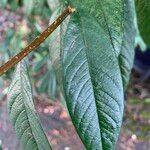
(109, 14)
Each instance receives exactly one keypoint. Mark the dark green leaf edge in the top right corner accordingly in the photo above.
(143, 18)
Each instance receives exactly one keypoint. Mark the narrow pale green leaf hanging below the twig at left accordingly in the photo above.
(22, 112)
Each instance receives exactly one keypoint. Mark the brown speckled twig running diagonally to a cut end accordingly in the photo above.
(37, 41)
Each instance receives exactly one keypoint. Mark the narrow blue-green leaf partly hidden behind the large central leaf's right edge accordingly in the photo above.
(126, 56)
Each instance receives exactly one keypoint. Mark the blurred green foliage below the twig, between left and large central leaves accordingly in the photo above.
(45, 83)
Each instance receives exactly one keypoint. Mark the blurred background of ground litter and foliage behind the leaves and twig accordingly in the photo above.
(20, 22)
